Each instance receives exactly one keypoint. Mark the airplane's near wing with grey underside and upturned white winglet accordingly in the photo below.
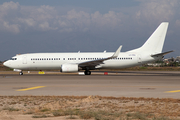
(99, 61)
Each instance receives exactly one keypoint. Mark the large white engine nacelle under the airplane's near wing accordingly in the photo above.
(69, 67)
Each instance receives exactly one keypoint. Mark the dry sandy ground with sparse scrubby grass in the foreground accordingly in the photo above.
(87, 107)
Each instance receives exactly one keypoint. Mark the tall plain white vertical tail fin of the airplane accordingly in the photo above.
(156, 41)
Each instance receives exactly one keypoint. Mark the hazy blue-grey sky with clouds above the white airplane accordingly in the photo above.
(84, 25)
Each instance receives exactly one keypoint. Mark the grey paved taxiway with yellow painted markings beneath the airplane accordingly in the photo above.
(156, 84)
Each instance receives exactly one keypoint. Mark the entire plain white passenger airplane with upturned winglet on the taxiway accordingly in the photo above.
(73, 62)
